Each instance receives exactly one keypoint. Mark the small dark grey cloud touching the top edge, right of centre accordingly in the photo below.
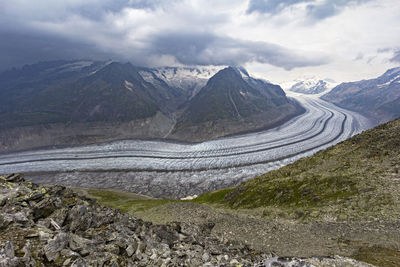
(315, 10)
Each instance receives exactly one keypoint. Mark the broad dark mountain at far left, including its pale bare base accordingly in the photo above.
(80, 102)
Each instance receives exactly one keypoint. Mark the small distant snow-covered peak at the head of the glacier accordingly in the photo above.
(312, 86)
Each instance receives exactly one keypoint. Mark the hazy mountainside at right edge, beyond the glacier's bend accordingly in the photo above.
(376, 98)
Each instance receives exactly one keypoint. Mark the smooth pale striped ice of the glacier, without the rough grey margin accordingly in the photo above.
(322, 125)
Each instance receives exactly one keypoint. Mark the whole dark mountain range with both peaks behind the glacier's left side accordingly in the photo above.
(77, 102)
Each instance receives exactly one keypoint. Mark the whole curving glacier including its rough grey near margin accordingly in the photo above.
(176, 169)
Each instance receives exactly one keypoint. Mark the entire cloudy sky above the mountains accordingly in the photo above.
(281, 41)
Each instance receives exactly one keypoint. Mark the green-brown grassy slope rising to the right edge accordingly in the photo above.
(358, 178)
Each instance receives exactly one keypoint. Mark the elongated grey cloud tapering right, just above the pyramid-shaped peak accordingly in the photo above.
(209, 49)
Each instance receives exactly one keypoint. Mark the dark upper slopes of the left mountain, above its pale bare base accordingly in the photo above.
(65, 92)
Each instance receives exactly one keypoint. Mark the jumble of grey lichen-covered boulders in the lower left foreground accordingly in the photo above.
(53, 226)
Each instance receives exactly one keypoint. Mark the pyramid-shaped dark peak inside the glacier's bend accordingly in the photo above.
(233, 102)
